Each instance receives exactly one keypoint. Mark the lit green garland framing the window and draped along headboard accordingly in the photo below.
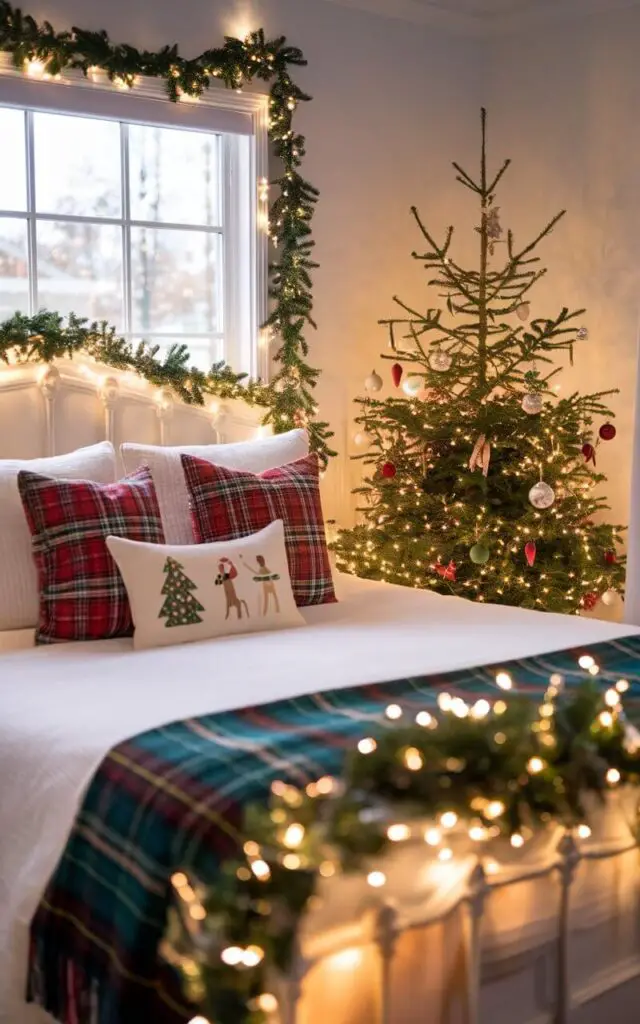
(288, 400)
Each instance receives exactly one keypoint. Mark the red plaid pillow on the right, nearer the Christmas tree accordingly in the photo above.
(228, 504)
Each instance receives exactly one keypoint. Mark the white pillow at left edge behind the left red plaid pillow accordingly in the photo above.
(19, 582)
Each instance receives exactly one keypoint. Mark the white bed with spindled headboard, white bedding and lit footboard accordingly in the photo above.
(503, 949)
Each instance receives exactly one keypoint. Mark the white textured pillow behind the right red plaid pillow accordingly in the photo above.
(253, 457)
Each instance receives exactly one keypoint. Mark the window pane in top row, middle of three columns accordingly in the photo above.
(77, 166)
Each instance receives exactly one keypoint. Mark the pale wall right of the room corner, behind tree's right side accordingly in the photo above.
(564, 100)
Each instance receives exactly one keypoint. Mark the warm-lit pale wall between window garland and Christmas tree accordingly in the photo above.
(392, 105)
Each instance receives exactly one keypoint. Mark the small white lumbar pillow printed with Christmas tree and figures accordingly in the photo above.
(180, 593)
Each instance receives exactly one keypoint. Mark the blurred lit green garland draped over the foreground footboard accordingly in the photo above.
(505, 770)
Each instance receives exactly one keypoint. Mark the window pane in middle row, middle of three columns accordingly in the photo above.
(80, 270)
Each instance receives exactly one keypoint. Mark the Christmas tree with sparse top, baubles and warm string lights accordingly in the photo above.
(482, 481)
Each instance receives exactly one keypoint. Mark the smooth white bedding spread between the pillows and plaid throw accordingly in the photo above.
(63, 708)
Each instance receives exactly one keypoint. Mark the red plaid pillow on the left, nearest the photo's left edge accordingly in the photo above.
(82, 595)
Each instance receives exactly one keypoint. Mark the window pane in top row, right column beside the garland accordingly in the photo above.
(175, 176)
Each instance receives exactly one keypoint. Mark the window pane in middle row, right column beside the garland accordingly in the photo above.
(176, 281)
